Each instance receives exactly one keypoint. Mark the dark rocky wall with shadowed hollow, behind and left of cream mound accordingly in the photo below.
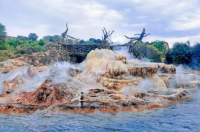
(61, 52)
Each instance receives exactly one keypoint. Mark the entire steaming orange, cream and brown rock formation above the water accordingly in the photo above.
(107, 83)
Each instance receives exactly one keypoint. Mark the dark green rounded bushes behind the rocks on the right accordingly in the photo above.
(158, 51)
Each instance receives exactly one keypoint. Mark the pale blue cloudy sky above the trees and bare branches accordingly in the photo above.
(167, 20)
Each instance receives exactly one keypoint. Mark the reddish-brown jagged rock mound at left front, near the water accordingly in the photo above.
(47, 95)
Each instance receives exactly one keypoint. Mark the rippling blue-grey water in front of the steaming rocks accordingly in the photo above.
(181, 117)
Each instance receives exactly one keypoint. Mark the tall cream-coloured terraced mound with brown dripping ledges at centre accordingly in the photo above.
(113, 71)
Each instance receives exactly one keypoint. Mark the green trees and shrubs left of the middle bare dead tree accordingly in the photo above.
(12, 47)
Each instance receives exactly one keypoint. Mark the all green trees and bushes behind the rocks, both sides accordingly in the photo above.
(157, 51)
